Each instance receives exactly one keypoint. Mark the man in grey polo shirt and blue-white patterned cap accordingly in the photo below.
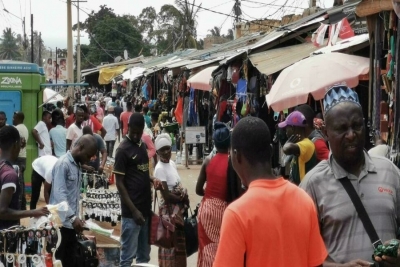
(376, 180)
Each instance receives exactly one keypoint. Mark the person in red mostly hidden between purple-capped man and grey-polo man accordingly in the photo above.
(315, 135)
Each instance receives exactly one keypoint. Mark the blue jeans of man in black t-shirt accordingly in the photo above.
(134, 241)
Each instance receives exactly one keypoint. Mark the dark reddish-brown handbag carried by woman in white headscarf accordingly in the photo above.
(162, 231)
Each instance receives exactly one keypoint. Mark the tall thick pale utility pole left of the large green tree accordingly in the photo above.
(70, 62)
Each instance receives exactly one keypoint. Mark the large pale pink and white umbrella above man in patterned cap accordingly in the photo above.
(315, 75)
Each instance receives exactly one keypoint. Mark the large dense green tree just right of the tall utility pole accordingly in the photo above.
(109, 36)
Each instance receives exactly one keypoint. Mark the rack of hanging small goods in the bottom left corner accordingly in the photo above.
(20, 246)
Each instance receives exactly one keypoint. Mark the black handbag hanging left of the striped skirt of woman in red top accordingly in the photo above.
(191, 234)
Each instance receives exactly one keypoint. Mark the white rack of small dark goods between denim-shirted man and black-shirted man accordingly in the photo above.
(102, 205)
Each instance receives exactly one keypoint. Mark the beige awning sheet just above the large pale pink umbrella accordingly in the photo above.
(275, 60)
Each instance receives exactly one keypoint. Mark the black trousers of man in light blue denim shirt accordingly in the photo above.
(66, 252)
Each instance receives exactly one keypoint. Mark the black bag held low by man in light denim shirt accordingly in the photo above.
(86, 252)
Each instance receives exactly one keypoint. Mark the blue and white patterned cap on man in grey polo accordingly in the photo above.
(338, 94)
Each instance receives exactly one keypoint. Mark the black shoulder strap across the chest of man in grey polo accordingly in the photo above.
(362, 213)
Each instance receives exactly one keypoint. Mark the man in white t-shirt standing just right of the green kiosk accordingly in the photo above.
(41, 134)
